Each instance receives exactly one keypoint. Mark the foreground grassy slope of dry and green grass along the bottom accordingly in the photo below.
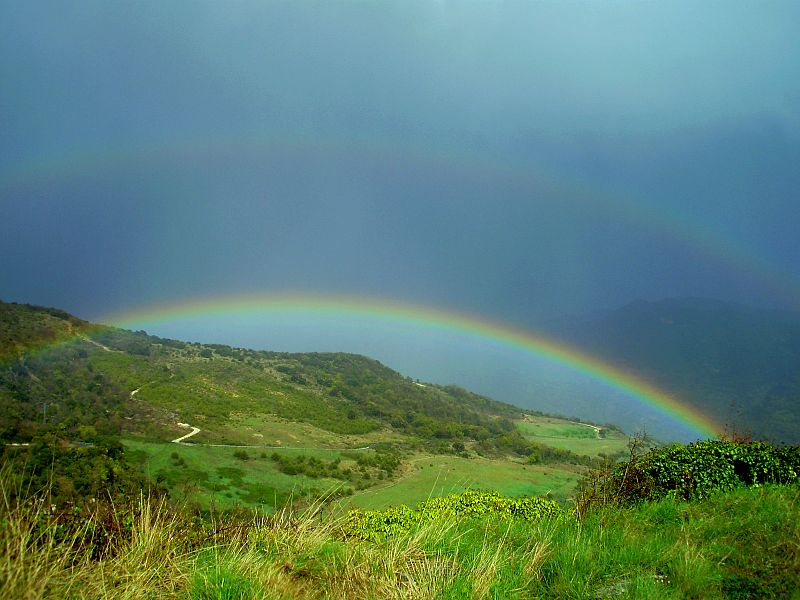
(743, 544)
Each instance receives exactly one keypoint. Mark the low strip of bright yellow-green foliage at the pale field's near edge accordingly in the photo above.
(378, 525)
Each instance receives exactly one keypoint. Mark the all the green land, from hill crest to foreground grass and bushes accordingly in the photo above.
(139, 467)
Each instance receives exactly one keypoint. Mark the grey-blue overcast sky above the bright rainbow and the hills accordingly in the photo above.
(516, 160)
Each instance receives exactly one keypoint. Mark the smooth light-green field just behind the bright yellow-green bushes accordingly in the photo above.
(429, 476)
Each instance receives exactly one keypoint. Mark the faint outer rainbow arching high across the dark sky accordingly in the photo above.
(683, 231)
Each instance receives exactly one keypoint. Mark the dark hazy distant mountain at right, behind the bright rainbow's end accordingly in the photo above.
(738, 364)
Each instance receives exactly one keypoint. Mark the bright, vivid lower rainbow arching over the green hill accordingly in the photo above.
(393, 312)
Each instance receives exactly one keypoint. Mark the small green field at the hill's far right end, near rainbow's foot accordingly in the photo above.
(575, 437)
